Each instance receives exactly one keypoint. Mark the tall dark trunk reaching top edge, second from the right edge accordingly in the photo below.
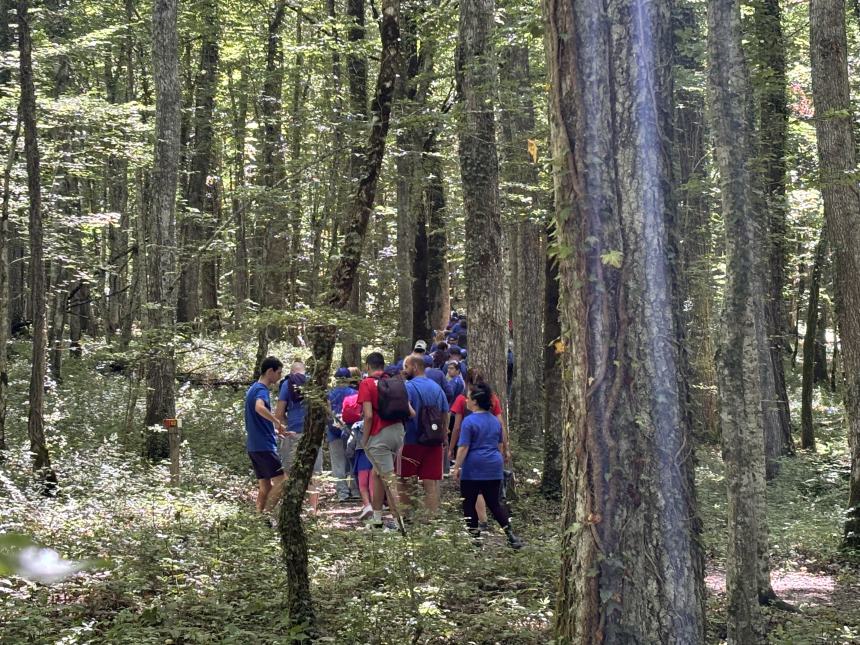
(773, 118)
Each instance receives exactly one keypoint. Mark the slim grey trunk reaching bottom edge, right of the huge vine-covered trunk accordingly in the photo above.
(743, 322)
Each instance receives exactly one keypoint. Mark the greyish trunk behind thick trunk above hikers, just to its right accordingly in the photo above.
(519, 170)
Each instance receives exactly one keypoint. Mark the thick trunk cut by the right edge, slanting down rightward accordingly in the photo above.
(841, 194)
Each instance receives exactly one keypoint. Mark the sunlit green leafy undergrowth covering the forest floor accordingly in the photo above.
(194, 565)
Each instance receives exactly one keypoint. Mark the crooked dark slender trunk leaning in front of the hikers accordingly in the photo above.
(293, 539)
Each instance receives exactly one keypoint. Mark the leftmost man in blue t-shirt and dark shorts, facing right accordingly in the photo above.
(261, 426)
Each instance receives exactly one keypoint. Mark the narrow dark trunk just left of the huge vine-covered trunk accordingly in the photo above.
(553, 422)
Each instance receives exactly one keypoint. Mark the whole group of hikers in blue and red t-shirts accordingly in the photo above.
(421, 418)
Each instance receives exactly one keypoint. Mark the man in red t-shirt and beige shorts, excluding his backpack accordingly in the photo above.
(382, 442)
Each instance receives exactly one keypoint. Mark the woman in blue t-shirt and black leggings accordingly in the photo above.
(480, 466)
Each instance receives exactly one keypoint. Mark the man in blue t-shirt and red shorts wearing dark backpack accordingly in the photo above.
(423, 443)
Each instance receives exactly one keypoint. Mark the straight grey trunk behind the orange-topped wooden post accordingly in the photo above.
(161, 229)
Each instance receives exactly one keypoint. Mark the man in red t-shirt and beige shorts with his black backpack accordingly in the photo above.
(385, 408)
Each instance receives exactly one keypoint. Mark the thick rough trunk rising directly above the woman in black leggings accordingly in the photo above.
(479, 169)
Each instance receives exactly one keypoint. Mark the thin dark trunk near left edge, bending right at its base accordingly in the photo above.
(38, 292)
